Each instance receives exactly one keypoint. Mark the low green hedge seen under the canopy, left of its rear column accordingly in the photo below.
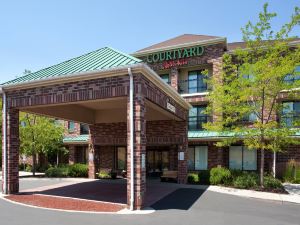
(75, 170)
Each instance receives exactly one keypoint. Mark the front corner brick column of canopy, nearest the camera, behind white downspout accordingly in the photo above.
(139, 150)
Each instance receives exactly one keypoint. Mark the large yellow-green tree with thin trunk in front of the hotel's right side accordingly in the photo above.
(253, 83)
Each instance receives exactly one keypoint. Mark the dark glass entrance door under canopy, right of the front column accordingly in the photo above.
(157, 161)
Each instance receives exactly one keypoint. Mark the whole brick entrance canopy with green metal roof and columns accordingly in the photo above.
(112, 92)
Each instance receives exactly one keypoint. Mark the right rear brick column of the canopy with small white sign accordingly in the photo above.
(182, 157)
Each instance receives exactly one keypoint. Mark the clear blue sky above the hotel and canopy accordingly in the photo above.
(35, 34)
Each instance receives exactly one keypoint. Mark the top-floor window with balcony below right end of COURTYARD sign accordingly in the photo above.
(196, 82)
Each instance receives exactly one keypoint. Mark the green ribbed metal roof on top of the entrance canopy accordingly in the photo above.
(103, 58)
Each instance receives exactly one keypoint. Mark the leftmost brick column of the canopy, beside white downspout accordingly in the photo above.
(12, 141)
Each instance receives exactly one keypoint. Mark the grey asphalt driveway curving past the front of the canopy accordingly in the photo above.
(182, 206)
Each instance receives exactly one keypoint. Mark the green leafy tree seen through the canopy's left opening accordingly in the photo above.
(39, 135)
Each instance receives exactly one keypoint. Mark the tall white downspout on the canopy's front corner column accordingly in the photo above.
(131, 87)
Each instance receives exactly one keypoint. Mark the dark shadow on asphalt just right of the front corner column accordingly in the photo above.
(181, 199)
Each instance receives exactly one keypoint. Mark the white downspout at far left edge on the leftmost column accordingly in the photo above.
(4, 125)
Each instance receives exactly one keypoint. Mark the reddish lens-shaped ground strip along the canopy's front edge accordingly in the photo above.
(65, 203)
